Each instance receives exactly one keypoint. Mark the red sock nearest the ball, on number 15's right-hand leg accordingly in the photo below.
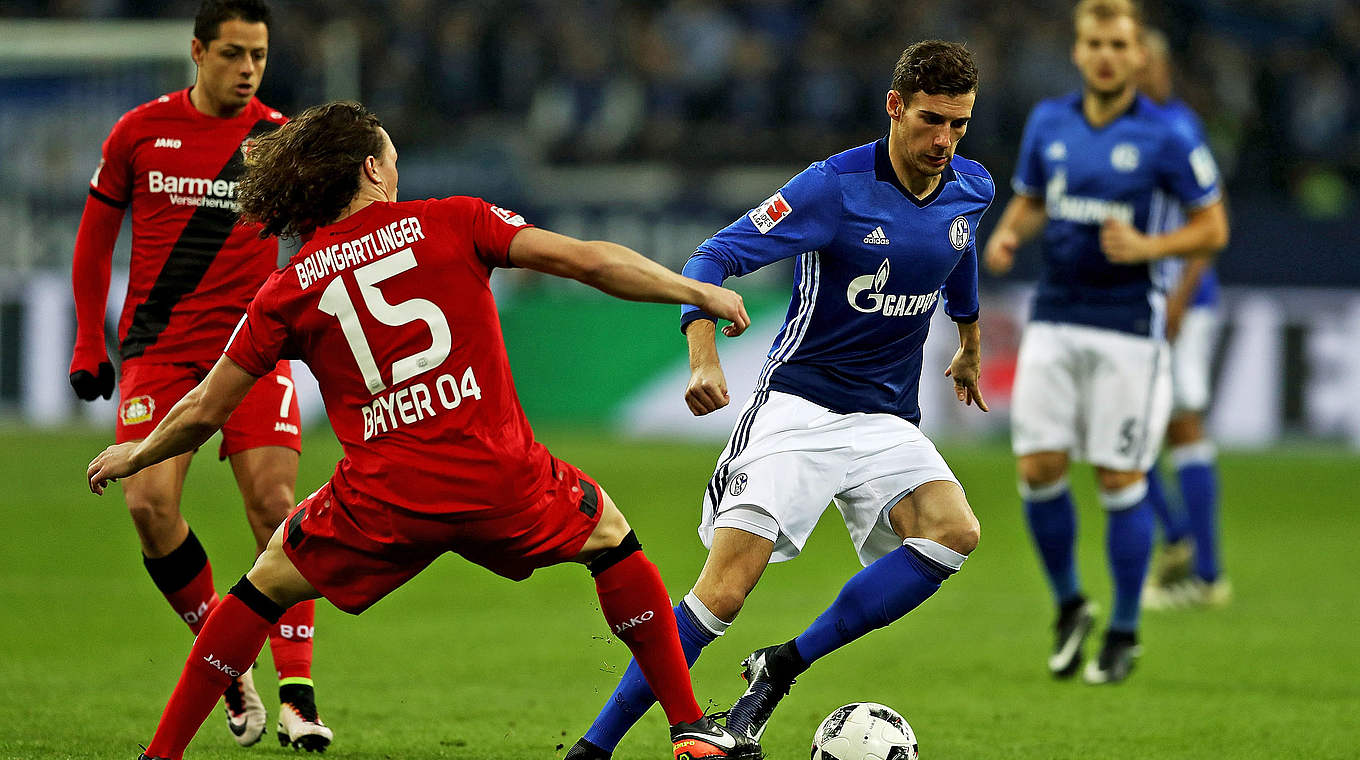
(639, 610)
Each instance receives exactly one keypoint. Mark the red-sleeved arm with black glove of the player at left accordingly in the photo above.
(92, 373)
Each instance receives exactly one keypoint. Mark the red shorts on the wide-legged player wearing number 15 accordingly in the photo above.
(357, 553)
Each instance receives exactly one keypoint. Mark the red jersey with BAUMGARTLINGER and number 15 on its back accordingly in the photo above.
(392, 311)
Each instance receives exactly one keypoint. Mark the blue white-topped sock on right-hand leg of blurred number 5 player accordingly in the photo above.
(1129, 546)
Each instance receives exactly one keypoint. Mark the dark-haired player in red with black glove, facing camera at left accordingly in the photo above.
(176, 162)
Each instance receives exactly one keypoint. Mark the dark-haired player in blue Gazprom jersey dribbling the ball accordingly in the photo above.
(879, 232)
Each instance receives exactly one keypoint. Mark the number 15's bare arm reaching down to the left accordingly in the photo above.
(190, 424)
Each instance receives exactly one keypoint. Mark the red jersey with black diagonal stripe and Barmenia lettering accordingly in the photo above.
(194, 270)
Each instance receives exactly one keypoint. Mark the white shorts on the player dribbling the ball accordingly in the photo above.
(788, 459)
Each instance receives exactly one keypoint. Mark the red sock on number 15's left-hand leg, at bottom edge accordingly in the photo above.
(226, 648)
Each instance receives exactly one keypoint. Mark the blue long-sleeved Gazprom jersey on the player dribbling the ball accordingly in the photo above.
(872, 262)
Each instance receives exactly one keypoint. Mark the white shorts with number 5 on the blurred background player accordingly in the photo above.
(1101, 396)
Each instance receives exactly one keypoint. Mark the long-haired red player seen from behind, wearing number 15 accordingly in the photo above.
(390, 304)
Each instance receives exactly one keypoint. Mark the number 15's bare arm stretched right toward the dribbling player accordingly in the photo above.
(624, 273)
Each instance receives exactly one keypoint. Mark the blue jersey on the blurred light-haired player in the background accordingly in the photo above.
(1135, 169)
